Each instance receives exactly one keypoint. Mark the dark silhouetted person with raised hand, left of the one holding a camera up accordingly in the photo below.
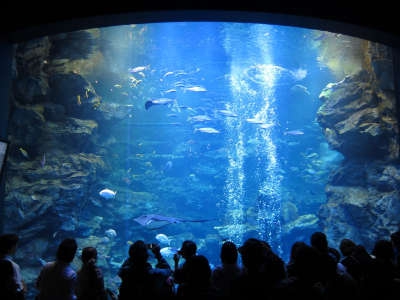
(139, 278)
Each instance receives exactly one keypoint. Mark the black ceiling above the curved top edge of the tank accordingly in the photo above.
(378, 21)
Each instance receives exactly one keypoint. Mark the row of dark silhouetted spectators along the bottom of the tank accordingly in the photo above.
(314, 271)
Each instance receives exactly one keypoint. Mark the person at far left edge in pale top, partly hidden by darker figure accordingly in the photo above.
(8, 248)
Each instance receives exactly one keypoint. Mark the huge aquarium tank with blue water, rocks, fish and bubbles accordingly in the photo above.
(208, 131)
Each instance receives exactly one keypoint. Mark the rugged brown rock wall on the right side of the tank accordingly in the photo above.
(359, 118)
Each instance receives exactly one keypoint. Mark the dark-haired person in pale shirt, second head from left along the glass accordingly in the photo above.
(57, 279)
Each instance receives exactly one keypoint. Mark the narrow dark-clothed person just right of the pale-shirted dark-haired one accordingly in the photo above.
(90, 281)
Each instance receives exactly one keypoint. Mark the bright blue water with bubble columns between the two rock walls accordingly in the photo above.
(268, 155)
